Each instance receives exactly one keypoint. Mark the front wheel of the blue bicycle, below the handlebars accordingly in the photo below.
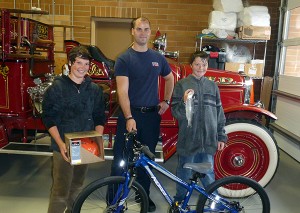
(95, 198)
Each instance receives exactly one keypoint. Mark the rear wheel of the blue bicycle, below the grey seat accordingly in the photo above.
(249, 198)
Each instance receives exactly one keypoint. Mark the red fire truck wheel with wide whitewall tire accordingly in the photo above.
(251, 151)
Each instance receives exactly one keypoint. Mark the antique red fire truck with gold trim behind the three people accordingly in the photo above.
(27, 55)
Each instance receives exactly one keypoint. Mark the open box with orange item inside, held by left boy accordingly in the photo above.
(84, 147)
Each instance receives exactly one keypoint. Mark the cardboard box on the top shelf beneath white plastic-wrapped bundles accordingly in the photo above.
(253, 32)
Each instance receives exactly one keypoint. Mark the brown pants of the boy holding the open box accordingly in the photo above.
(67, 183)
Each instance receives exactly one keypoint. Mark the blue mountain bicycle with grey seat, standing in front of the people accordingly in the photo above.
(124, 194)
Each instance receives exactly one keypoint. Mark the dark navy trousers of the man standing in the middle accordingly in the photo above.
(148, 130)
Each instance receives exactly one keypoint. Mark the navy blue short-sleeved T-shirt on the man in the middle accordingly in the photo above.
(143, 70)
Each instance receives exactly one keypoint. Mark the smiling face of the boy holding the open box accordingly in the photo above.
(79, 69)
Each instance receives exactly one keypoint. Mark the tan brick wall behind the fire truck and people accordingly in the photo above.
(180, 20)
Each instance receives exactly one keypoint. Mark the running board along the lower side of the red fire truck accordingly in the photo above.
(45, 150)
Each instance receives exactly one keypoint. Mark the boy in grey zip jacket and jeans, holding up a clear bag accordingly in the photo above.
(199, 142)
